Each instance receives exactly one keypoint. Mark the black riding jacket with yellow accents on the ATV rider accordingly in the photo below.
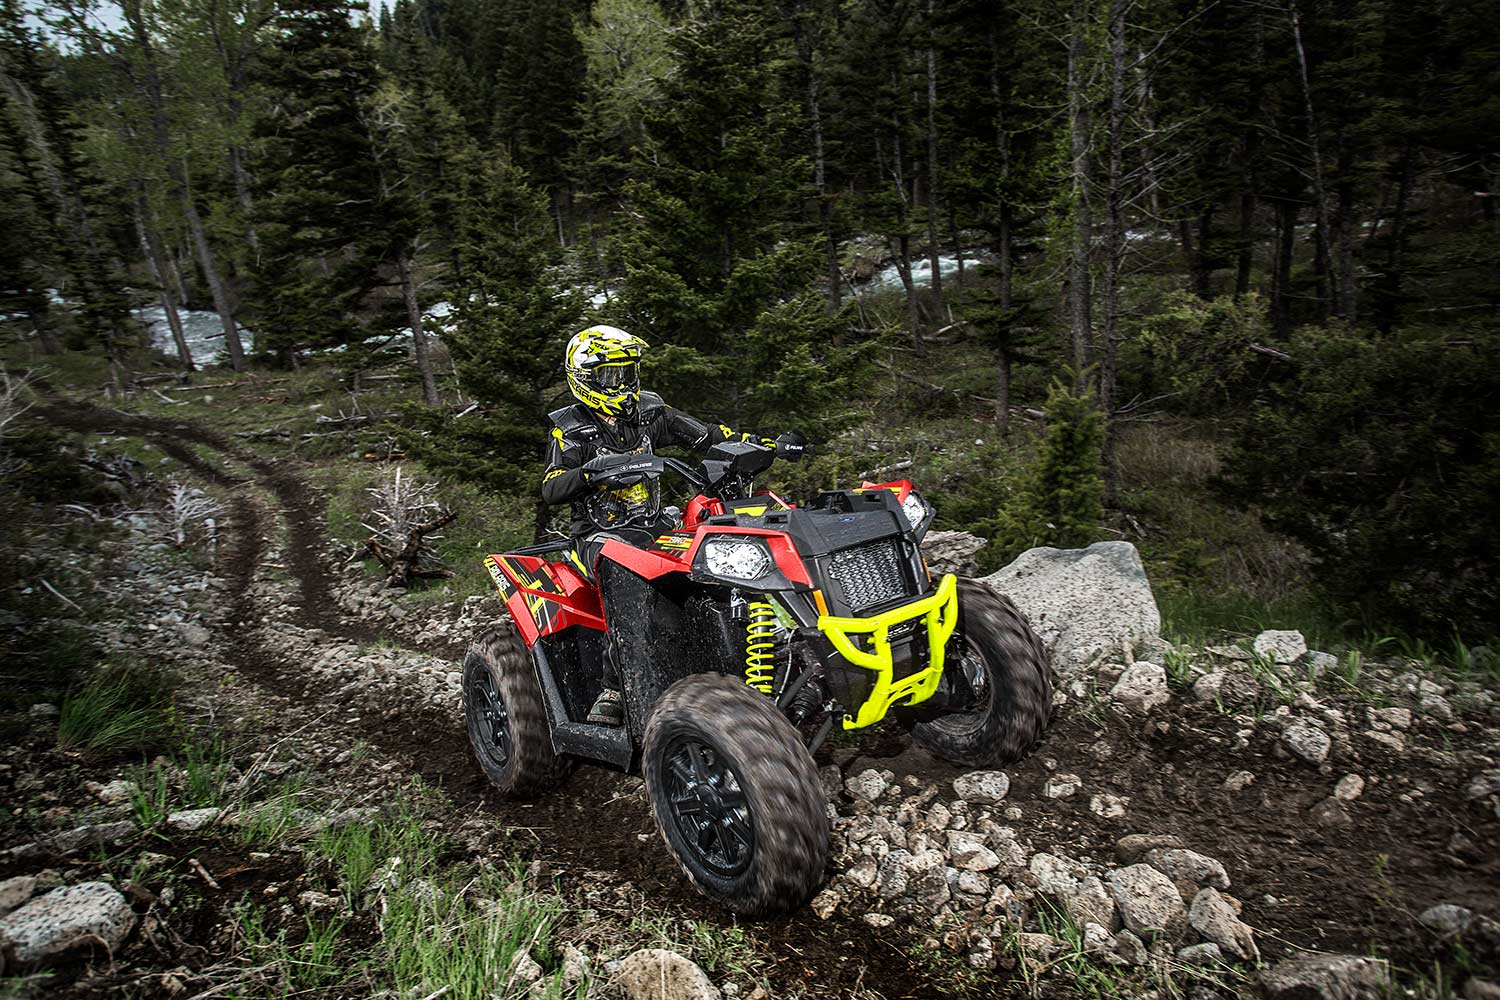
(578, 436)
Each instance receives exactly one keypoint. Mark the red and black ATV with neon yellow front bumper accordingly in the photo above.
(745, 632)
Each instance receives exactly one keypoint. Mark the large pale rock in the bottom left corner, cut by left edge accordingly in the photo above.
(88, 914)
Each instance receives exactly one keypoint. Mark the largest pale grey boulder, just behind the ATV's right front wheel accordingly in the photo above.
(1084, 603)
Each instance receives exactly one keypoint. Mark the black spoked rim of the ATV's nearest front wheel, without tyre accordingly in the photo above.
(709, 807)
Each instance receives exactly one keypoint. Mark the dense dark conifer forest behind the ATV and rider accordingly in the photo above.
(1219, 278)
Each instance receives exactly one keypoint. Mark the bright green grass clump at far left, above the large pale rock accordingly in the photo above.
(122, 710)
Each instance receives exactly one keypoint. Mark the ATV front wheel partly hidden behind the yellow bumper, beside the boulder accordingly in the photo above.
(1007, 665)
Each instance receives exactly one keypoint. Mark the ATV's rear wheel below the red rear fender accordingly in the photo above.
(506, 720)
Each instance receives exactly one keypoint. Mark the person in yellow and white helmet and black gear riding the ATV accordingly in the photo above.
(613, 421)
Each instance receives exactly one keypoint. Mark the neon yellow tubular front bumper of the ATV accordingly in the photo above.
(941, 612)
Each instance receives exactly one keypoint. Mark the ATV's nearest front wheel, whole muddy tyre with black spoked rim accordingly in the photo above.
(736, 795)
